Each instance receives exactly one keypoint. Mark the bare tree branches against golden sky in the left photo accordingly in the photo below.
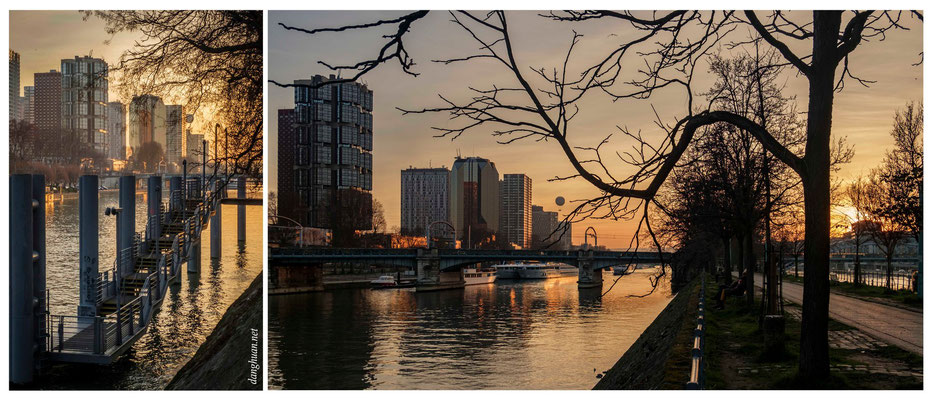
(207, 60)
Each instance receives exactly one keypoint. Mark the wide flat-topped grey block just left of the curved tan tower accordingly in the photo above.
(424, 198)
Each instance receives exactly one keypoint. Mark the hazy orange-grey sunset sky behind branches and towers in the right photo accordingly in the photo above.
(863, 115)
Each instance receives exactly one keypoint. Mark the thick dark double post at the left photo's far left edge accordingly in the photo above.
(27, 275)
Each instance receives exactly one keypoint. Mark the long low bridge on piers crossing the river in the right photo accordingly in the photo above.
(443, 268)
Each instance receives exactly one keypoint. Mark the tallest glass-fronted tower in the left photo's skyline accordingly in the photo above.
(84, 101)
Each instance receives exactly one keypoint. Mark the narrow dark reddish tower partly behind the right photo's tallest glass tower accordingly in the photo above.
(287, 196)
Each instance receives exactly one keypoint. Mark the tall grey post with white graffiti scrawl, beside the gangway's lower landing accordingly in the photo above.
(88, 231)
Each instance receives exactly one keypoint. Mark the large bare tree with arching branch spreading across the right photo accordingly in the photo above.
(540, 104)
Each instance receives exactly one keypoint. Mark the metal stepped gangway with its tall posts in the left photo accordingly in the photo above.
(116, 304)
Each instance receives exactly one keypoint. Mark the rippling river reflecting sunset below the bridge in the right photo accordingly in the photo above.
(543, 334)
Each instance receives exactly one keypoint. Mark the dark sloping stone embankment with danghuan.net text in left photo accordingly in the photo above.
(231, 357)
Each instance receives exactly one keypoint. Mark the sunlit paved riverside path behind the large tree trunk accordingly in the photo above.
(892, 325)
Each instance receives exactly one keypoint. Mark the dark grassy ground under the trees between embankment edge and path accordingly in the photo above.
(735, 355)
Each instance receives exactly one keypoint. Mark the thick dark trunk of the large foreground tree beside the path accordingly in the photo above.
(814, 343)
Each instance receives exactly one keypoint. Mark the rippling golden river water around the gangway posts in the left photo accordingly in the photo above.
(186, 317)
